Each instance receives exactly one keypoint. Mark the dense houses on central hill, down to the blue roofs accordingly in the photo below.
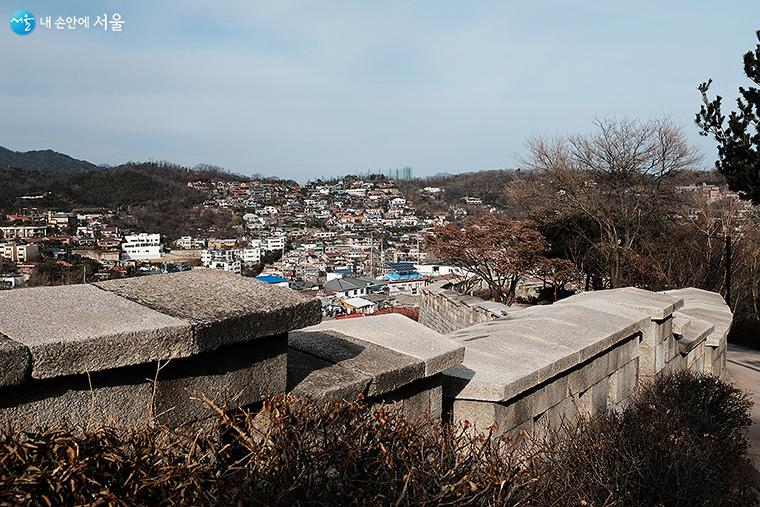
(357, 244)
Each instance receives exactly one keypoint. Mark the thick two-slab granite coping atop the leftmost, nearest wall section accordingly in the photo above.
(57, 331)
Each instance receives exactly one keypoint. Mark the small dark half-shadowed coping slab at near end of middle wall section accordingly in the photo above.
(311, 376)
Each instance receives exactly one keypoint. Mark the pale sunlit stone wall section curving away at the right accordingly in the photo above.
(540, 366)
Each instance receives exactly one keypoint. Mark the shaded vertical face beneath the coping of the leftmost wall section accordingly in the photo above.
(130, 397)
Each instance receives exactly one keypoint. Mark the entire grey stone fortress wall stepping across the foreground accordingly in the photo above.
(148, 349)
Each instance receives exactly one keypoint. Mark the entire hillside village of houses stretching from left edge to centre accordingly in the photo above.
(356, 243)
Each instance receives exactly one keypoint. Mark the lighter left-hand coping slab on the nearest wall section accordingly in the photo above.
(80, 328)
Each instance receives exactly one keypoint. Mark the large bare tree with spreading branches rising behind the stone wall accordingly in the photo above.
(606, 187)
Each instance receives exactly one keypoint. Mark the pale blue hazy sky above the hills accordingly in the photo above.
(311, 88)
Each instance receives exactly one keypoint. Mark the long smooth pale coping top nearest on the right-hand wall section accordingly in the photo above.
(506, 357)
